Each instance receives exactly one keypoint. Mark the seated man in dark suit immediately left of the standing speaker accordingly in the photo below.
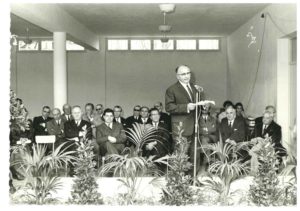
(163, 145)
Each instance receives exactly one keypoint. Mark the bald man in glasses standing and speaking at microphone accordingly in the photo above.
(180, 103)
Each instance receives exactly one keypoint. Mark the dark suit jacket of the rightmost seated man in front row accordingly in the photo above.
(273, 131)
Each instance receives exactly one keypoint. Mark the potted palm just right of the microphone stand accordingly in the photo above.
(226, 164)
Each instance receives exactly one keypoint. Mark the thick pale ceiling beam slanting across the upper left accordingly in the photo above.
(54, 19)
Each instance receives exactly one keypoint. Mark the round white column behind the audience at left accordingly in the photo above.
(59, 70)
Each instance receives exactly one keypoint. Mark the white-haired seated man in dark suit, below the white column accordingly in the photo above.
(76, 130)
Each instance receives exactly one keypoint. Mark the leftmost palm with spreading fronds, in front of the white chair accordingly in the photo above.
(39, 171)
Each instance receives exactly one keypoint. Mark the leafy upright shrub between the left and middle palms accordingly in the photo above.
(85, 187)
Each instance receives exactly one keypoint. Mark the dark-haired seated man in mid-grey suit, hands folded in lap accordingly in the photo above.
(110, 135)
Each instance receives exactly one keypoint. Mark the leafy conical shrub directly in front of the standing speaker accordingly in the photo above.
(178, 190)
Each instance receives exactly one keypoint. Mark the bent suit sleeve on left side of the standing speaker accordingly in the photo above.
(171, 106)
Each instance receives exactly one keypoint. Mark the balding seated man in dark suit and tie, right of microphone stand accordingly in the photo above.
(232, 129)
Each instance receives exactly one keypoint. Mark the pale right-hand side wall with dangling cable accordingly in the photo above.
(243, 60)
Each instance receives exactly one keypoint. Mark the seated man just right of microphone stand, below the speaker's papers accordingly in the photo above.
(208, 133)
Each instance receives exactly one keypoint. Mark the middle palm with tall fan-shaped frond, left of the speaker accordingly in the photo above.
(130, 164)
